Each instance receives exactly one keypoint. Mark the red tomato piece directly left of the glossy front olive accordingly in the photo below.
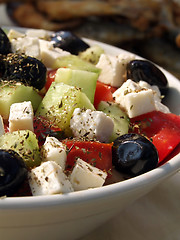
(95, 153)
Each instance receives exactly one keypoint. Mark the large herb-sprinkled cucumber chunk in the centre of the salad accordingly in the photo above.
(59, 103)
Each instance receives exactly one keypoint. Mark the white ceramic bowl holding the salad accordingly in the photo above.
(71, 216)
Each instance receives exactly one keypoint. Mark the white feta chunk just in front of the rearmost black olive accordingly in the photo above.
(49, 54)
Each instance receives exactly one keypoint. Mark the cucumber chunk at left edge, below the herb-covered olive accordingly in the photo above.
(14, 93)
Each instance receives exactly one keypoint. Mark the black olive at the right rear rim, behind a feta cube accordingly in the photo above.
(138, 70)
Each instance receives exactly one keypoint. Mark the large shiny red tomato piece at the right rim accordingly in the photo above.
(162, 128)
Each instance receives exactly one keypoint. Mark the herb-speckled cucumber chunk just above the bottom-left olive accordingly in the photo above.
(25, 143)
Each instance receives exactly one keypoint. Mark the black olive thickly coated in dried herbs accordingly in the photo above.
(28, 70)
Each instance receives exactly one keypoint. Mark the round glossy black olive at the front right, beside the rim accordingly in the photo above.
(134, 154)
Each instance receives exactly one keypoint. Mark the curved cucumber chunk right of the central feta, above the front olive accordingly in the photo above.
(120, 118)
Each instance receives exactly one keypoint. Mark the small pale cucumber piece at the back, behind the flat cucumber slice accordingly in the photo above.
(92, 54)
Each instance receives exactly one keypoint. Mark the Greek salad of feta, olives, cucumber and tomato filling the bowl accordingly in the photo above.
(72, 114)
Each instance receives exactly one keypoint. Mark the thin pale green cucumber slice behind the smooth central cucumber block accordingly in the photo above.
(75, 62)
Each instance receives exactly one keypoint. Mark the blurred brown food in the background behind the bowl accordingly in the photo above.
(150, 29)
